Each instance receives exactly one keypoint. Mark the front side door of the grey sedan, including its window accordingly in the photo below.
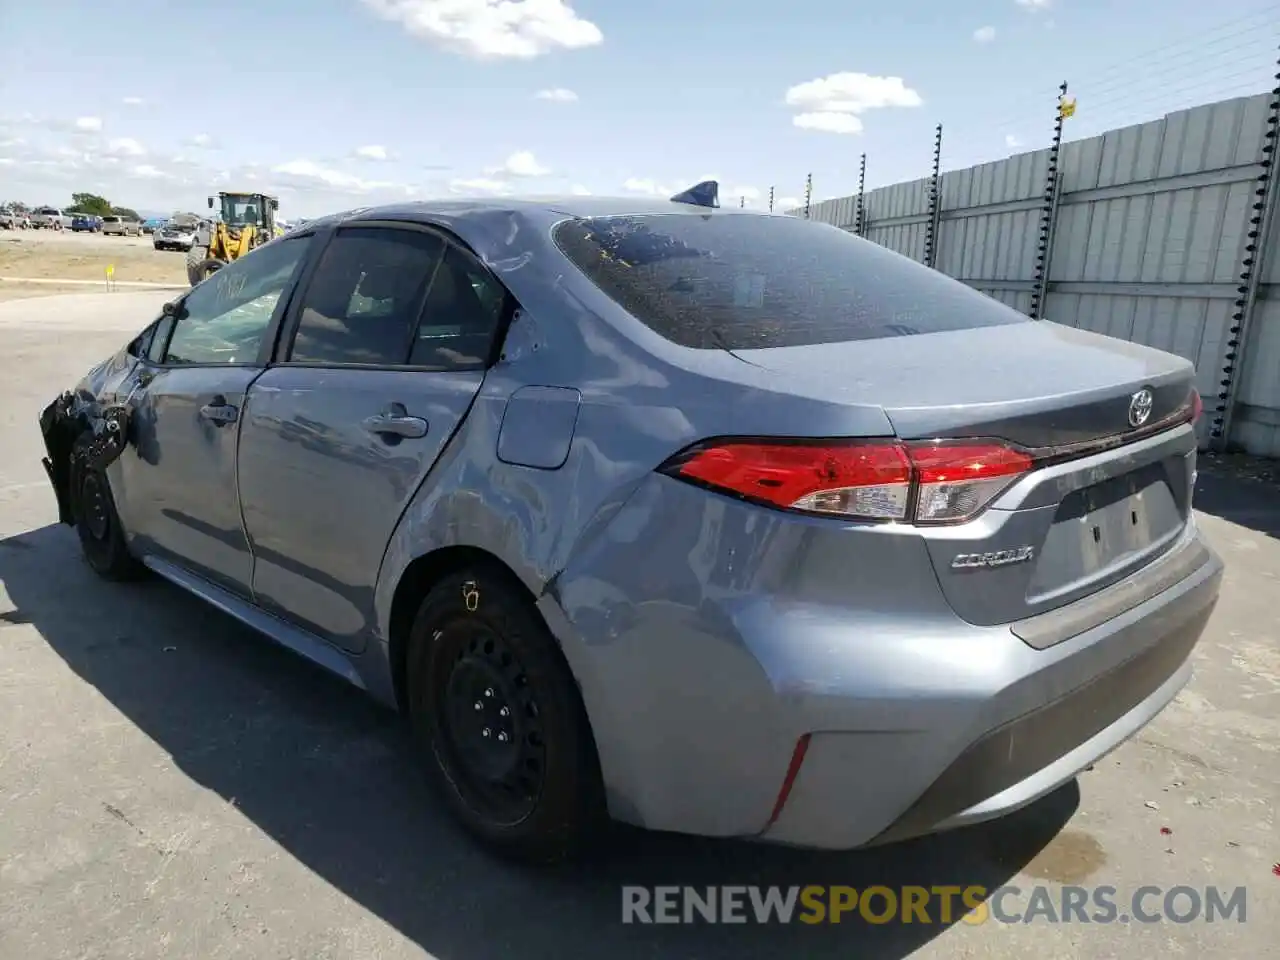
(180, 483)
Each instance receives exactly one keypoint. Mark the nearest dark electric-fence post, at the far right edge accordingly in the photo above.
(1261, 218)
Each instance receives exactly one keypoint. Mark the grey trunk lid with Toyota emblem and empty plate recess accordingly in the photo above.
(1113, 496)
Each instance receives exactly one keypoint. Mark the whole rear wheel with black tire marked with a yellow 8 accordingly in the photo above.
(536, 797)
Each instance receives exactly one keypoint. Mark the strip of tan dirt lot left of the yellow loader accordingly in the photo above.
(83, 257)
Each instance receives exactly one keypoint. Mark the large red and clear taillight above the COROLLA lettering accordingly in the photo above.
(922, 483)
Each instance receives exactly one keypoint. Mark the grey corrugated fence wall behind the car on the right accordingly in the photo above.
(1149, 243)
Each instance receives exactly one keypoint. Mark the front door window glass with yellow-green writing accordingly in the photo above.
(226, 319)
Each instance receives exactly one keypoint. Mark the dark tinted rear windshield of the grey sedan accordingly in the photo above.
(734, 282)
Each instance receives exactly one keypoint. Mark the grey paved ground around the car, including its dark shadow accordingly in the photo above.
(173, 787)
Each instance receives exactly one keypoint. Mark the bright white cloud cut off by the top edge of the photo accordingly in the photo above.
(492, 30)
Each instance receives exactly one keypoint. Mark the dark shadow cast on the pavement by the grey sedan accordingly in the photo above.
(331, 778)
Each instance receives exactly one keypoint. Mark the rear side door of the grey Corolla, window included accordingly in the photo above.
(383, 355)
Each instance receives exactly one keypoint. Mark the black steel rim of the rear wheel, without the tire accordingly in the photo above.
(492, 737)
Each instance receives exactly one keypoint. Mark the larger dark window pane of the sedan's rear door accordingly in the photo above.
(365, 299)
